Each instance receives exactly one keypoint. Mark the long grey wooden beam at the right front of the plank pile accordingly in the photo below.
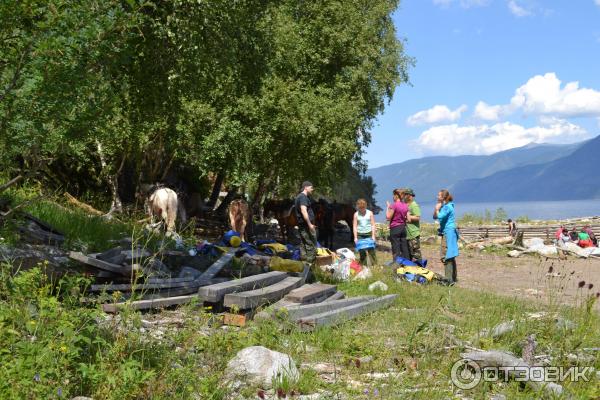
(340, 315)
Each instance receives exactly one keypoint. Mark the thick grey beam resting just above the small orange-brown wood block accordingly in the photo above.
(258, 297)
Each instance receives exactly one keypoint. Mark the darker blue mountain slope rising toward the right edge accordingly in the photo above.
(573, 177)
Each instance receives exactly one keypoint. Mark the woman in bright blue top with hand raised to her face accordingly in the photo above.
(444, 213)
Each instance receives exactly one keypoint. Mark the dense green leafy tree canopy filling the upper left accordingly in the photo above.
(266, 93)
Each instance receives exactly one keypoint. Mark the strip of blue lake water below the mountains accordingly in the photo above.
(532, 209)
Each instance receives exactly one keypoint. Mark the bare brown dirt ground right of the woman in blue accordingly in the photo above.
(528, 276)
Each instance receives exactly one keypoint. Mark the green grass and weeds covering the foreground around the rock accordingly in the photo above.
(53, 346)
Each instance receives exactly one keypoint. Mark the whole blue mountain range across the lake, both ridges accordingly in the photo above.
(529, 173)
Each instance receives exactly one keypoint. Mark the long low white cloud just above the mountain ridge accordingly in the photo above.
(485, 139)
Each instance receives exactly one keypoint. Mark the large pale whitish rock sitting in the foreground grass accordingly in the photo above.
(260, 366)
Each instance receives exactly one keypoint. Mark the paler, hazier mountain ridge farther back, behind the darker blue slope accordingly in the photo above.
(430, 174)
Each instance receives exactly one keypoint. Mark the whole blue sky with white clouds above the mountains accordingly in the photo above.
(490, 75)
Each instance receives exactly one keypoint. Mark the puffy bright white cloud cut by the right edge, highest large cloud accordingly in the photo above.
(544, 95)
